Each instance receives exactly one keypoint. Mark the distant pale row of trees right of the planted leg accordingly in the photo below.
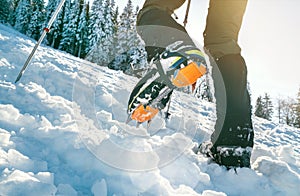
(287, 109)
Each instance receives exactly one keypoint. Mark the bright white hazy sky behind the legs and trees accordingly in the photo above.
(269, 38)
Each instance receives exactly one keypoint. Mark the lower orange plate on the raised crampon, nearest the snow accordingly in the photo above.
(142, 114)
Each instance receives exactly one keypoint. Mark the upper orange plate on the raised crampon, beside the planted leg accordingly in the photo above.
(188, 75)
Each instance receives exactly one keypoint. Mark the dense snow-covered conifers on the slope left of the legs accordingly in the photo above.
(97, 32)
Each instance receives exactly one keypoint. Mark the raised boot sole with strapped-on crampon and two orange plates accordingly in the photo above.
(153, 91)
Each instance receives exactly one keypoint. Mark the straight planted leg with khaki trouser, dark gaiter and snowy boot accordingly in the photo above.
(234, 126)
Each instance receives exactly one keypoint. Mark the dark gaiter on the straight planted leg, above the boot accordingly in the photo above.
(234, 124)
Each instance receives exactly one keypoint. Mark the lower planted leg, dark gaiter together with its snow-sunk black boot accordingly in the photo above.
(232, 139)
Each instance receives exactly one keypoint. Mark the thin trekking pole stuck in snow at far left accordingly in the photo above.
(45, 31)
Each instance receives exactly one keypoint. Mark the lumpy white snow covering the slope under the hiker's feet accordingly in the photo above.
(63, 132)
